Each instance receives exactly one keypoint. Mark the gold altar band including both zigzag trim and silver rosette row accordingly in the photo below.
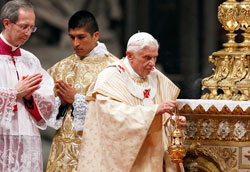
(215, 125)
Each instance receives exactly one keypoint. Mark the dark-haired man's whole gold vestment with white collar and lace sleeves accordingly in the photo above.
(80, 73)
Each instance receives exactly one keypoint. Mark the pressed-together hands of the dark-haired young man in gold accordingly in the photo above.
(65, 92)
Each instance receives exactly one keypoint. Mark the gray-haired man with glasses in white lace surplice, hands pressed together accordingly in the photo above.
(26, 92)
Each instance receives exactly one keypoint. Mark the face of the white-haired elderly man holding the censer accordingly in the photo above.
(143, 61)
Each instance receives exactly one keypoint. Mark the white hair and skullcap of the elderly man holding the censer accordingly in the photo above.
(140, 40)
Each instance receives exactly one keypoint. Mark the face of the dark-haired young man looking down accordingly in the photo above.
(82, 41)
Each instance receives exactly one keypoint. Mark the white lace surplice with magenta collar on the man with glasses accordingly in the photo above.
(20, 142)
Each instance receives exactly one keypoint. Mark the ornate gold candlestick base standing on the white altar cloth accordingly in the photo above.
(231, 75)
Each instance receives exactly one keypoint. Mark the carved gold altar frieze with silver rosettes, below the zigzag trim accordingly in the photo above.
(202, 129)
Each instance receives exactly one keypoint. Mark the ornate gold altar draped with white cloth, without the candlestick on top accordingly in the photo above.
(217, 135)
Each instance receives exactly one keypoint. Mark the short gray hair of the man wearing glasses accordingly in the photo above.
(10, 9)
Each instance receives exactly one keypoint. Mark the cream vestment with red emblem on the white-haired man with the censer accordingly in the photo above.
(121, 131)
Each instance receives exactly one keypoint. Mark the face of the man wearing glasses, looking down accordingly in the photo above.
(19, 32)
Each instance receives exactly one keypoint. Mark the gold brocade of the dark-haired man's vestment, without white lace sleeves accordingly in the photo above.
(80, 73)
